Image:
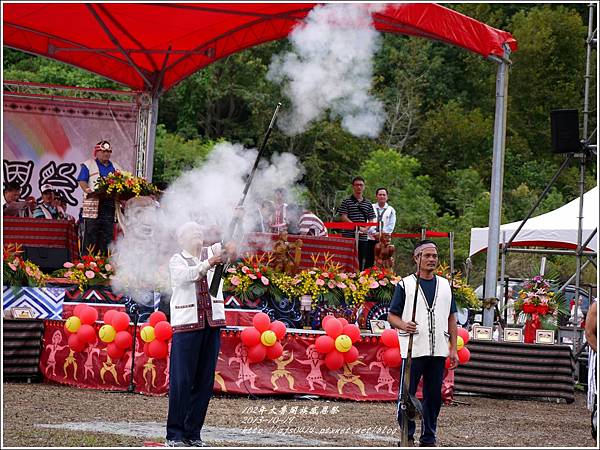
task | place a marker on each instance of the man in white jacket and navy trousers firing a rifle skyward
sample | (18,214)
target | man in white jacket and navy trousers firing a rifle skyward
(197,319)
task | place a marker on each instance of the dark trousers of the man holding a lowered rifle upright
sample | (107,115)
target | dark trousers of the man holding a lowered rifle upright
(431,368)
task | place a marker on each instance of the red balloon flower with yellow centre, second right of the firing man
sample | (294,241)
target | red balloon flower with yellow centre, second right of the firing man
(338,342)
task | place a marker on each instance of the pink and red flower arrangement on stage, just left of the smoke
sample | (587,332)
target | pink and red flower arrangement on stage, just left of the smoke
(91,270)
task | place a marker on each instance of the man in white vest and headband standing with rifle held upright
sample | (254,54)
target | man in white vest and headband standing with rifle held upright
(434,331)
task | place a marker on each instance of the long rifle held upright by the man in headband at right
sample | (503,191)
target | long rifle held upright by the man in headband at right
(409,406)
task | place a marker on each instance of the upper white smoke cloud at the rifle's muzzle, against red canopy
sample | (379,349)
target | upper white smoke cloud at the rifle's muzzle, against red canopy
(331,69)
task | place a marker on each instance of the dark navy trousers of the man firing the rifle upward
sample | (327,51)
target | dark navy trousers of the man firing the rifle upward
(191,379)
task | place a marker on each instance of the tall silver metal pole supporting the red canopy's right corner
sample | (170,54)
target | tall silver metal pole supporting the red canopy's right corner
(491,272)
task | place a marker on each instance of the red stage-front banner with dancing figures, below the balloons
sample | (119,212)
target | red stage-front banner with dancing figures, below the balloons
(300,370)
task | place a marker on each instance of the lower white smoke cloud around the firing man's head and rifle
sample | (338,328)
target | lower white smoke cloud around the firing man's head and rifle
(208,195)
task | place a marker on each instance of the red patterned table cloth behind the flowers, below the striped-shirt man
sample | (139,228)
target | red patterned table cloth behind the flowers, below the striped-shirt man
(342,250)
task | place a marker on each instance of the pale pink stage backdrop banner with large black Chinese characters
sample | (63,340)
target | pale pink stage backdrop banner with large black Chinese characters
(46,139)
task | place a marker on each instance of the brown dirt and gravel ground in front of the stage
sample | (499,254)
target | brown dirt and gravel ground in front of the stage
(36,415)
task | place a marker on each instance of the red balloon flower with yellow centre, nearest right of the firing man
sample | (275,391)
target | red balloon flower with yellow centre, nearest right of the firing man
(263,338)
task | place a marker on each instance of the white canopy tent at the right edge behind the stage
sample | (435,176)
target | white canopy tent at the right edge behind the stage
(557,229)
